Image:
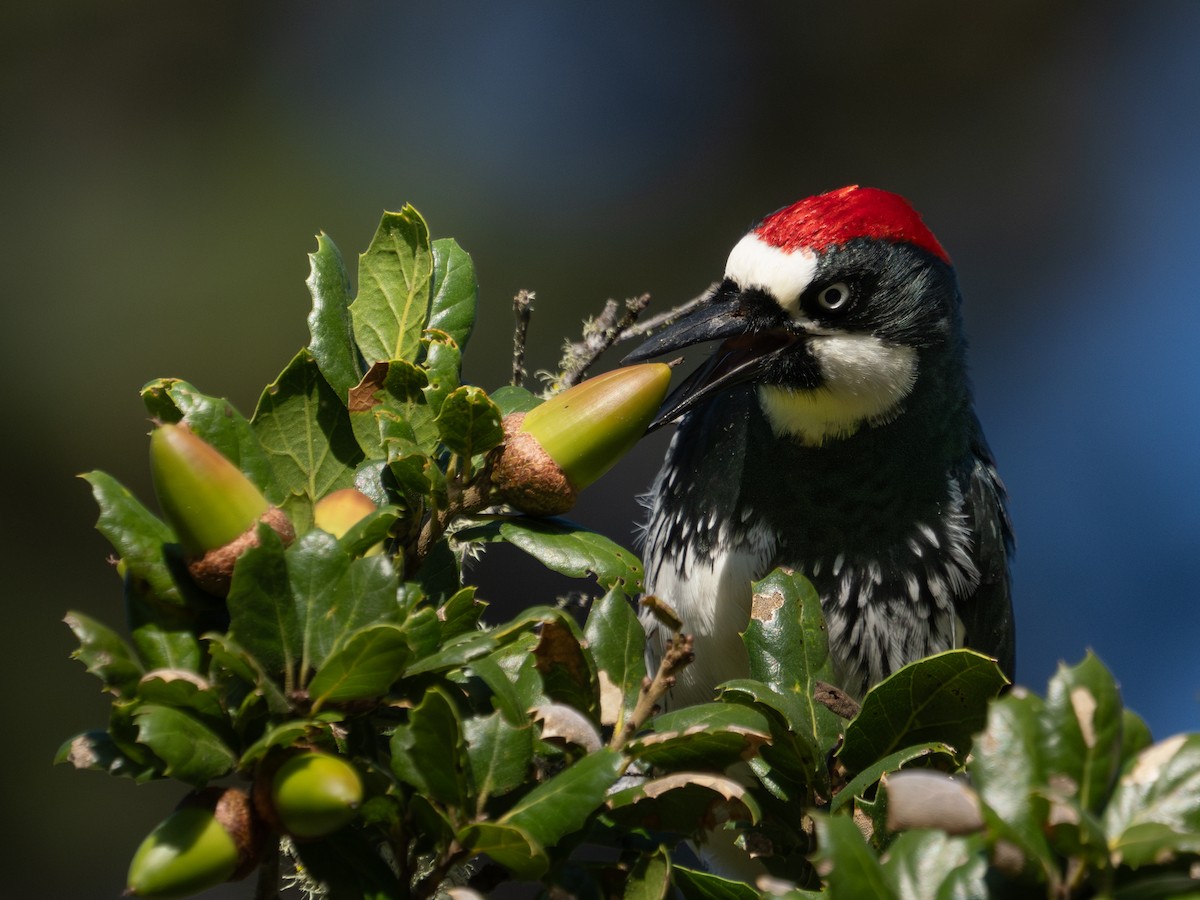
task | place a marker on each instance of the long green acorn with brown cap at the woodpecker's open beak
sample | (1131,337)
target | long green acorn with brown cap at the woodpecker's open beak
(557,449)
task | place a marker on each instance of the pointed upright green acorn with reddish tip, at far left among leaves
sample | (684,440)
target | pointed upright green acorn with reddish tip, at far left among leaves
(211,505)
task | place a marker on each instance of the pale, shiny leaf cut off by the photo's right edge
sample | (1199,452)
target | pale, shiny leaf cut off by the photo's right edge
(1155,812)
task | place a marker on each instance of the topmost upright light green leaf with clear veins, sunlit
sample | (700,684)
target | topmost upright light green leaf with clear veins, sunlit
(394,297)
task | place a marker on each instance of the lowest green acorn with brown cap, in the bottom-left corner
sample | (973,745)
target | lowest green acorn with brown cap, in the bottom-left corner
(212,838)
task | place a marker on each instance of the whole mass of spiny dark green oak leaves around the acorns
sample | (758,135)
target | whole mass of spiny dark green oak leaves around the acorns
(515,743)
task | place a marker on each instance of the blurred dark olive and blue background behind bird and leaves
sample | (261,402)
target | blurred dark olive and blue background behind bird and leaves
(167,166)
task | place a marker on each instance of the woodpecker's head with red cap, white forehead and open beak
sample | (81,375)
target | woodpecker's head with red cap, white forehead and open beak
(833,308)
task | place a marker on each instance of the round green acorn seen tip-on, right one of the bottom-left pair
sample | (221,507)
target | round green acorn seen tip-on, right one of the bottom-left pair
(310,795)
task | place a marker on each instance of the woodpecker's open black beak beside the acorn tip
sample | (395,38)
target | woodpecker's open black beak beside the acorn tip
(753,334)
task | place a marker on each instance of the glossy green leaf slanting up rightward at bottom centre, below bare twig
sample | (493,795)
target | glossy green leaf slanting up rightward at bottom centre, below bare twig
(563,805)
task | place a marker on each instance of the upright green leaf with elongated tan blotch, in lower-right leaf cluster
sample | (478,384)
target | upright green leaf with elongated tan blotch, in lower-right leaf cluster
(1084,719)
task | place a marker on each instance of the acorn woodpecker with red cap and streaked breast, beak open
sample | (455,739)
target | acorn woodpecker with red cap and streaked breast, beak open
(832,431)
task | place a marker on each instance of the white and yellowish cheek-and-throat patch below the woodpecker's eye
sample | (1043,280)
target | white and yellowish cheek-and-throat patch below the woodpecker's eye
(865,382)
